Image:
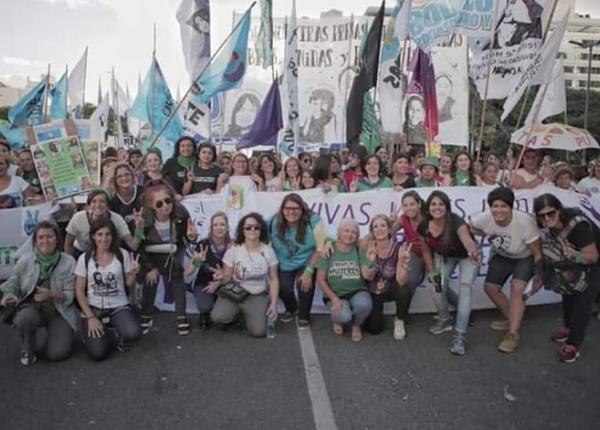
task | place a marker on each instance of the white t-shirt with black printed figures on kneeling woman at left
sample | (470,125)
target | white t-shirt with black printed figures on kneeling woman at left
(105,285)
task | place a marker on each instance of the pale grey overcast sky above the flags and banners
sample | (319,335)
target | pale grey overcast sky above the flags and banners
(119,33)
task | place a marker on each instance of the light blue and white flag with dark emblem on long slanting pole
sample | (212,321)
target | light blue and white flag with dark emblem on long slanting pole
(227,71)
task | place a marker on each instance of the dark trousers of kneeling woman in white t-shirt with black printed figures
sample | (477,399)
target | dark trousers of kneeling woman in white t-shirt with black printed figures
(126,327)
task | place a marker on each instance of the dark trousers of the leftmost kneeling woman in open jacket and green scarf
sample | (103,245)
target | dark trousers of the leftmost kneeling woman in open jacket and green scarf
(59,341)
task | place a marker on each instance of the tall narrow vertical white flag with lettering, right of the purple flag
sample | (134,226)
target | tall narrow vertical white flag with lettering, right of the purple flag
(291,133)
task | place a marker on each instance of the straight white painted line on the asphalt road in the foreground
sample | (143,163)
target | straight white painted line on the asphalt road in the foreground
(319,399)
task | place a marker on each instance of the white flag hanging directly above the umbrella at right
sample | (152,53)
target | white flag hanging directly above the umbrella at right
(554,96)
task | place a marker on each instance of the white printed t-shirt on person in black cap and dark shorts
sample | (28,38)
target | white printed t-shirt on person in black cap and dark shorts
(510,241)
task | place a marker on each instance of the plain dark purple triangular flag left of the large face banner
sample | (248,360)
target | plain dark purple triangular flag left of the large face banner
(267,124)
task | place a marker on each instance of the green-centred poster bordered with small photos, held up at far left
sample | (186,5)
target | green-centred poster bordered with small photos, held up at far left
(59,159)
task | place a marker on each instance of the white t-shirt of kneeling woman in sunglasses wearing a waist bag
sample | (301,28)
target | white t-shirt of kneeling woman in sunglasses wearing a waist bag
(251,269)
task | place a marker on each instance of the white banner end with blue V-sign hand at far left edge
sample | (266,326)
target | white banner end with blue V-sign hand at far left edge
(17,226)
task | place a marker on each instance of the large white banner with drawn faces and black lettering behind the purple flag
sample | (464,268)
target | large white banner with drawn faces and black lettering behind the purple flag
(326,57)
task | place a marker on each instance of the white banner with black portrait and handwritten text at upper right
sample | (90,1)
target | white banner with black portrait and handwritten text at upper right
(518,33)
